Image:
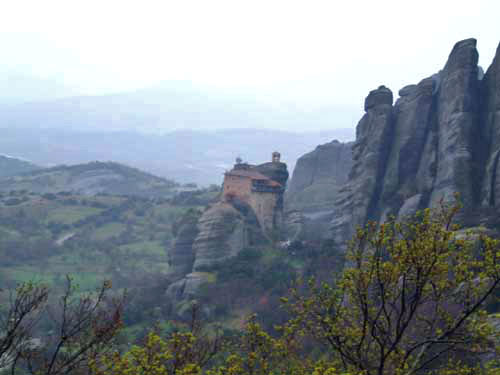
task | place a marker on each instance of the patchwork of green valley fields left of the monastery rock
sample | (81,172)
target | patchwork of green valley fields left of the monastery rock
(90,238)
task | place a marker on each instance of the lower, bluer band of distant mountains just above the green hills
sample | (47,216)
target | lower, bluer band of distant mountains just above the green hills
(184,156)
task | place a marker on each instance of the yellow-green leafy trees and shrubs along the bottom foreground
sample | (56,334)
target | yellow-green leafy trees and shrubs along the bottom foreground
(411,302)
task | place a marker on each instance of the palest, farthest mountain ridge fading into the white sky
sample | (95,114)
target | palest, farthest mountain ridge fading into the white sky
(173,105)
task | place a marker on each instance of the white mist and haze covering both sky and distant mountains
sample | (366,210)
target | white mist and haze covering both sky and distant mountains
(167,86)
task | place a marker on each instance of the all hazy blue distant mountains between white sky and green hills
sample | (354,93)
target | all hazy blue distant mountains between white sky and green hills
(176,130)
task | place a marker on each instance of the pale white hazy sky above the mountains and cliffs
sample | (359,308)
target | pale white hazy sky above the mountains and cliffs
(323,51)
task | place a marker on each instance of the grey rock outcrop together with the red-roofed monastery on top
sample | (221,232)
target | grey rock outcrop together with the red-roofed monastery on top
(249,210)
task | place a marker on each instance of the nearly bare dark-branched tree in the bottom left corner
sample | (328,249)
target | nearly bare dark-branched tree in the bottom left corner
(82,325)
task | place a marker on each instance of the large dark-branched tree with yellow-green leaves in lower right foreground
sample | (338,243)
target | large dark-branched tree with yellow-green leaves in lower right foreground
(411,299)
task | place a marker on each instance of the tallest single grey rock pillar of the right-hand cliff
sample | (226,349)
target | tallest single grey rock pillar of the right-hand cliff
(457,126)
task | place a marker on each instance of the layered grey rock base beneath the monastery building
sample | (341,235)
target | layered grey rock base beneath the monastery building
(202,243)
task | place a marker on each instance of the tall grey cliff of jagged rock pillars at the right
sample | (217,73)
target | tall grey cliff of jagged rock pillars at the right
(441,137)
